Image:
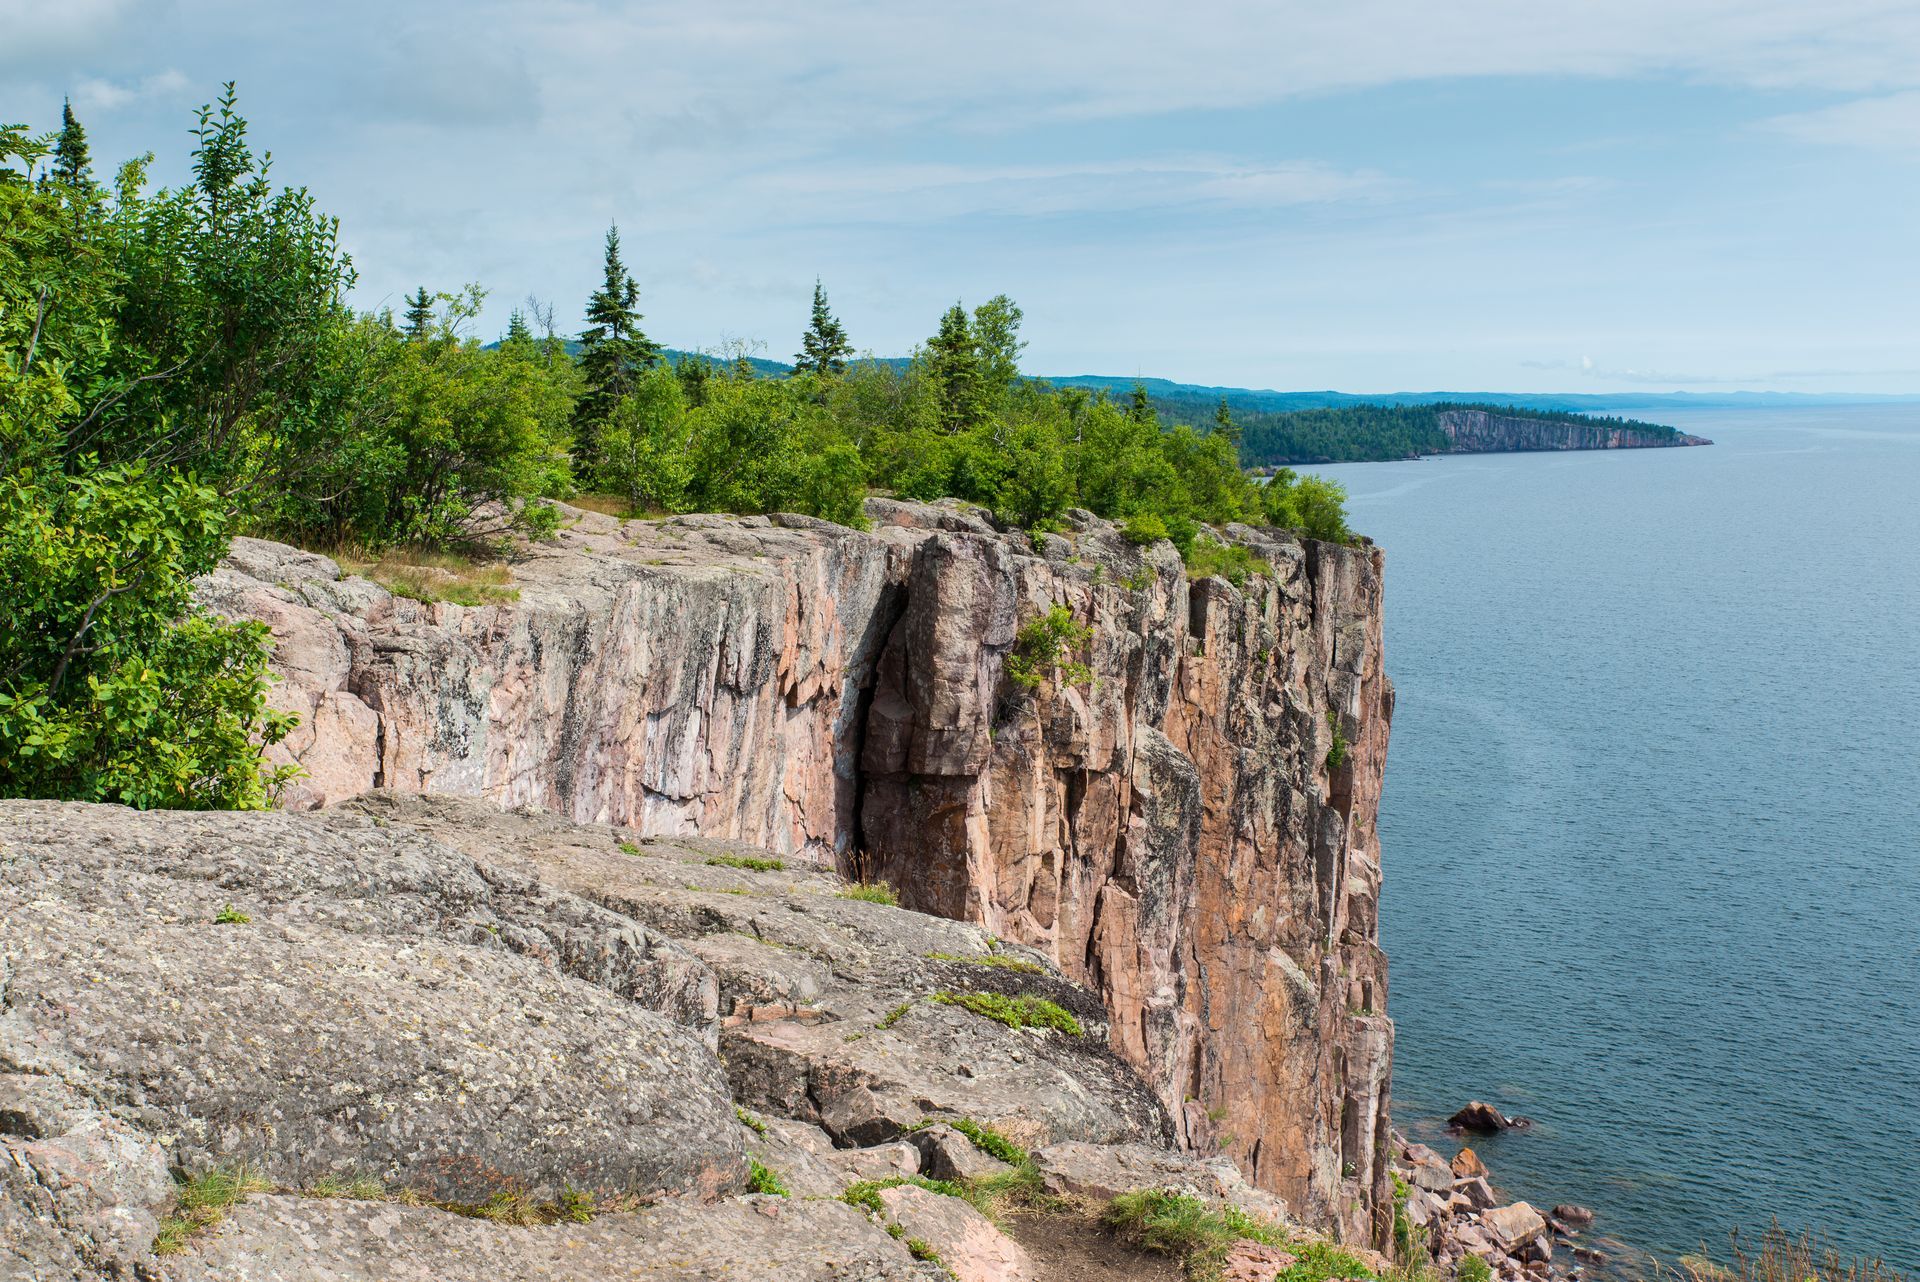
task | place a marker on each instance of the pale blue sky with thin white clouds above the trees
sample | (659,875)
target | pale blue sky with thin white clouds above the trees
(1358,195)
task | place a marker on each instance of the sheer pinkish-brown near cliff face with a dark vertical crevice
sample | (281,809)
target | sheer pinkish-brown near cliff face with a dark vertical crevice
(1178,832)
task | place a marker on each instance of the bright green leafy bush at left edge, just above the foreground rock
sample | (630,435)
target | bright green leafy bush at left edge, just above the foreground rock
(112,684)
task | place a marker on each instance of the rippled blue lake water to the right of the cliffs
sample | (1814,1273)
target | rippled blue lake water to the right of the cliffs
(1652,820)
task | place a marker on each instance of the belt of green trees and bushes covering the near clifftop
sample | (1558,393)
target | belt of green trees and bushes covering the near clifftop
(181,364)
